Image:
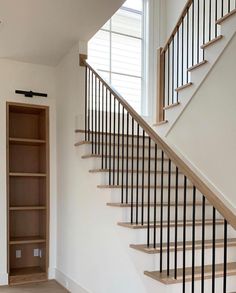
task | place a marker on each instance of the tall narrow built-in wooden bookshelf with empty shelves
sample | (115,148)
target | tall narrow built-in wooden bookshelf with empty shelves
(28,192)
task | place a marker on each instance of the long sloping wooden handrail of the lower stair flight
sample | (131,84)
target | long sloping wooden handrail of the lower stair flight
(183,167)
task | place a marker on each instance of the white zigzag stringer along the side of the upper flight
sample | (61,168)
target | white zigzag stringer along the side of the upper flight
(198,76)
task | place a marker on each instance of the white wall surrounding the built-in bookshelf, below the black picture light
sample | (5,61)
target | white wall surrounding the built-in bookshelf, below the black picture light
(16,75)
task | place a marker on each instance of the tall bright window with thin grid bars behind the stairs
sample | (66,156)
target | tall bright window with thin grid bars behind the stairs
(117,52)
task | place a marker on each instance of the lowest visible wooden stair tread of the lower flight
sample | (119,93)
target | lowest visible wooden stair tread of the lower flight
(168,280)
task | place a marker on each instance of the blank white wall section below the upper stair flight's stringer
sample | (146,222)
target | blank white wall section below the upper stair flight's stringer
(206,131)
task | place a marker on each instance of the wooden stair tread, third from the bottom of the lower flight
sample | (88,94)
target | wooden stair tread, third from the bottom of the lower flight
(172,224)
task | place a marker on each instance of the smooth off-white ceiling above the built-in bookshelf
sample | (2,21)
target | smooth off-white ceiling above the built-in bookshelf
(43,31)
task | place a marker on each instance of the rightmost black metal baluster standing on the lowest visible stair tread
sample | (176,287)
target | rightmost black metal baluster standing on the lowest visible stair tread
(176,219)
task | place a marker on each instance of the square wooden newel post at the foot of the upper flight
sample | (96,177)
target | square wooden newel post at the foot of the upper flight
(160,85)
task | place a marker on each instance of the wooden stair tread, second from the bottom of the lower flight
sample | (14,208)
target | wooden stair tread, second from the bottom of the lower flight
(198,246)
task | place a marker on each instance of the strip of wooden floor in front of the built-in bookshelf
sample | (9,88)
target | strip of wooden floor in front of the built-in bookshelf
(44,287)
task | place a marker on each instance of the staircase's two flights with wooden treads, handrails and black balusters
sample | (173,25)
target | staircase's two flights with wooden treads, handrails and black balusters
(188,230)
